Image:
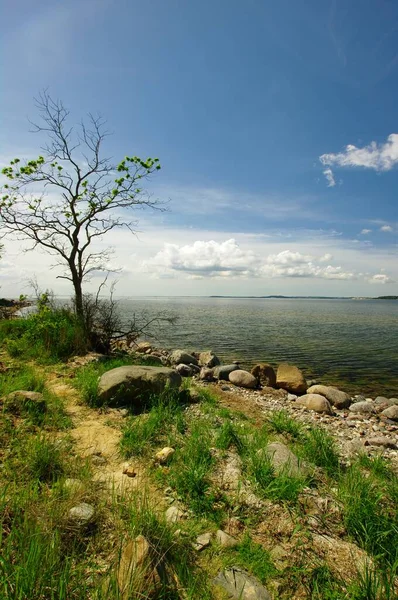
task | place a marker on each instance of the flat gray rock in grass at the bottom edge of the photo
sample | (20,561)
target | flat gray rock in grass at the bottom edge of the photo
(240,585)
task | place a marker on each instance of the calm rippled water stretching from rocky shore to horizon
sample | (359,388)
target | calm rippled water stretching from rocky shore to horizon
(349,341)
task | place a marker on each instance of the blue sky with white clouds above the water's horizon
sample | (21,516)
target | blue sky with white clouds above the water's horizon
(276,125)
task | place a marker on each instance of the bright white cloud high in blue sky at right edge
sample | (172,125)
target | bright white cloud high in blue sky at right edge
(379,157)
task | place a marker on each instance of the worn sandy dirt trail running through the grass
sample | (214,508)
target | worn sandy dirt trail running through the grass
(96,435)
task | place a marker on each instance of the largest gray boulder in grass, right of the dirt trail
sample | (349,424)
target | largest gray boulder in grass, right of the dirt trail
(134,385)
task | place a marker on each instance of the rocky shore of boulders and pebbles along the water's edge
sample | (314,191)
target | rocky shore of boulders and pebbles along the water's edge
(358,423)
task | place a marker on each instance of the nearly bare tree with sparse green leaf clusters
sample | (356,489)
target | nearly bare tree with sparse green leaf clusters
(71,196)
